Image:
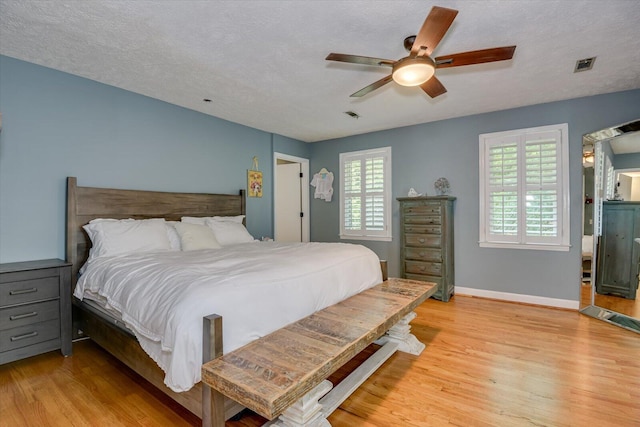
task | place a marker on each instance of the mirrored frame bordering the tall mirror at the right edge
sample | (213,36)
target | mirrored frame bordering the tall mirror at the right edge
(591,144)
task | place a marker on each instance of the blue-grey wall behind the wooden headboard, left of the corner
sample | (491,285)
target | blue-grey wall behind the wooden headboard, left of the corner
(57,125)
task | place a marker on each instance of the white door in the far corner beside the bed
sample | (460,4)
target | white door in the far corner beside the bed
(288,203)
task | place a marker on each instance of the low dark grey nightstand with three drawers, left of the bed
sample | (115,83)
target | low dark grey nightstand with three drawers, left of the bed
(35,308)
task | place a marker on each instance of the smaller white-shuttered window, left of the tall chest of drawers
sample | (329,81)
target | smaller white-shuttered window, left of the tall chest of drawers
(365,194)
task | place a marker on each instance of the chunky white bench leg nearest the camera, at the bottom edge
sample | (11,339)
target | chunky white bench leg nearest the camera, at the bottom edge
(306,412)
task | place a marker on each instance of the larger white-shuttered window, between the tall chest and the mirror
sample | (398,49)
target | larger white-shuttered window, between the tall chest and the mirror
(524,189)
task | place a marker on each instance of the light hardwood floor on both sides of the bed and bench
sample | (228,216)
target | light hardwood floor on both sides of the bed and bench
(487,363)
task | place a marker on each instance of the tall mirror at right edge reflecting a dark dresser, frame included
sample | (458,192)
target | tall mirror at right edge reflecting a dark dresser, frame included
(611,225)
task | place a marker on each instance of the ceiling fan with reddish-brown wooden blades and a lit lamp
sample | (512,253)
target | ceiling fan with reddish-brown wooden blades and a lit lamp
(418,68)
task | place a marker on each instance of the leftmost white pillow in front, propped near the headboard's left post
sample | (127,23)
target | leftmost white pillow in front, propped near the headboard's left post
(115,237)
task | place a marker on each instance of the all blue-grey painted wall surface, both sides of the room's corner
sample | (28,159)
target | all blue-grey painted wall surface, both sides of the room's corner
(57,125)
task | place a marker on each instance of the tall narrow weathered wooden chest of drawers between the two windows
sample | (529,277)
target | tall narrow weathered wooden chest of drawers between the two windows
(426,239)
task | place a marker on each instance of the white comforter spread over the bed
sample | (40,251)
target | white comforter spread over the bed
(256,287)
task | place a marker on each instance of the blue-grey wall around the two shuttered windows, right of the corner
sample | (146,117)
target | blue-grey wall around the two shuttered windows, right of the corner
(449,148)
